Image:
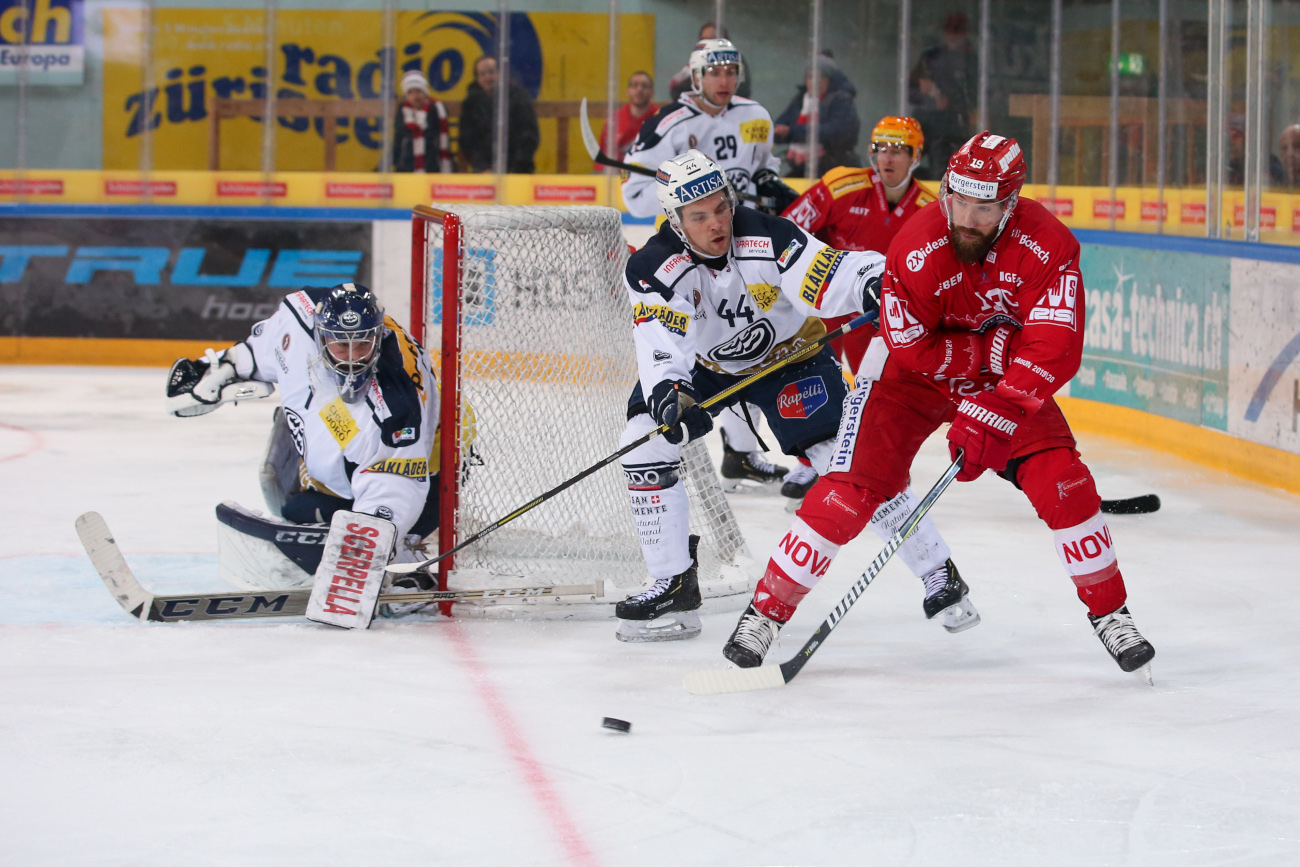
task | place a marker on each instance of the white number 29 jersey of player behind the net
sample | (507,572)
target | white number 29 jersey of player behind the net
(739,140)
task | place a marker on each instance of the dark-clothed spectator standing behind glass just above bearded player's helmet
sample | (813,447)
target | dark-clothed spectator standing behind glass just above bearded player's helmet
(942,92)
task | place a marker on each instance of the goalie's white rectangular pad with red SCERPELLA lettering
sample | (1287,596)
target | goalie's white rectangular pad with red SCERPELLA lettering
(350,576)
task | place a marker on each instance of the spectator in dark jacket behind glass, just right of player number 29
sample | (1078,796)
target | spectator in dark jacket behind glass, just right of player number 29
(838,123)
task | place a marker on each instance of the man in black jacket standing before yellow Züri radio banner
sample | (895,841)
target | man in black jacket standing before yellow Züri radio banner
(479,115)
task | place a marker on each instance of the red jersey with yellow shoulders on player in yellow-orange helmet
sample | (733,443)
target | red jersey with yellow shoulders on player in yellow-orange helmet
(848,210)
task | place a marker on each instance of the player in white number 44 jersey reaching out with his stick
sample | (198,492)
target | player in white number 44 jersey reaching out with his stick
(718,294)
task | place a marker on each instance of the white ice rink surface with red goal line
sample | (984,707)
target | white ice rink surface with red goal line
(479,743)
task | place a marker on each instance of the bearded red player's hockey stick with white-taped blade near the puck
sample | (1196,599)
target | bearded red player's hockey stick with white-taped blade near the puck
(716,682)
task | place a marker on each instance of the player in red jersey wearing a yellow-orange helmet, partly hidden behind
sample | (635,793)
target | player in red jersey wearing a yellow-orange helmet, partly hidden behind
(863,210)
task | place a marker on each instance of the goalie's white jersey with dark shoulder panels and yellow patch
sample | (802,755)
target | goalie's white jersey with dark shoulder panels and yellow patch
(375,452)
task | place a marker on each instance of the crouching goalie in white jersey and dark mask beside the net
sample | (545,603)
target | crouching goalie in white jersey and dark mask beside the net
(356,431)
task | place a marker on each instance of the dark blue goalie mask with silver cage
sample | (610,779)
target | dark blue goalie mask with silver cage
(349,332)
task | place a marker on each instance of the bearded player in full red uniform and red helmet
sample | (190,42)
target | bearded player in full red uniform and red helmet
(982,310)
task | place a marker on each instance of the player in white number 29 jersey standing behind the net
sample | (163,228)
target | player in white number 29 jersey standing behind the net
(736,133)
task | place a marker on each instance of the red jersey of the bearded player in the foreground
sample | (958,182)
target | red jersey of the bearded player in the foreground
(935,310)
